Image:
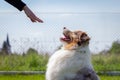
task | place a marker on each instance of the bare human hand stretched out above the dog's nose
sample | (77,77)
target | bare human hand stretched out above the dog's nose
(31,15)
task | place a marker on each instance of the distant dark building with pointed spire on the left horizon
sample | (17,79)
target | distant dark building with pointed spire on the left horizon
(6,47)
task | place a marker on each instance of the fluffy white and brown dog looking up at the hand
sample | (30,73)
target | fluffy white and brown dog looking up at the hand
(73,60)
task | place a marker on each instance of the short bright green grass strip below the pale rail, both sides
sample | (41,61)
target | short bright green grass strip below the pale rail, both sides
(42,77)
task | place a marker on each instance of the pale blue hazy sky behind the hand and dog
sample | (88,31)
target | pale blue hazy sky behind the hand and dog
(99,18)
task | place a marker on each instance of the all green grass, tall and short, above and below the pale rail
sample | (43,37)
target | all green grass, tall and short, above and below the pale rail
(32,61)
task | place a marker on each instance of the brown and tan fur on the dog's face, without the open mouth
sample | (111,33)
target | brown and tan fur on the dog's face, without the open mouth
(76,38)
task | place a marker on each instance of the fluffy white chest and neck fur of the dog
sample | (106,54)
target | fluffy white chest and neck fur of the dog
(66,63)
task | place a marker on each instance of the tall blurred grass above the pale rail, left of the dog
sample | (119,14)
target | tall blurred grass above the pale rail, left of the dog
(27,62)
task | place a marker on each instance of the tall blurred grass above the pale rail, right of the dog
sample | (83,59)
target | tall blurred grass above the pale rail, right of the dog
(106,62)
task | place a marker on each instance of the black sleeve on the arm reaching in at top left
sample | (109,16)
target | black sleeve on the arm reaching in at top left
(16,3)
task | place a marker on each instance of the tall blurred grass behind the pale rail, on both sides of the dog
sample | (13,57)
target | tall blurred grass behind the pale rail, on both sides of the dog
(37,62)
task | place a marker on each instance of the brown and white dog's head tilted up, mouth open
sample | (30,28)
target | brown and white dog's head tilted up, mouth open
(74,39)
